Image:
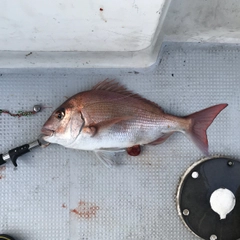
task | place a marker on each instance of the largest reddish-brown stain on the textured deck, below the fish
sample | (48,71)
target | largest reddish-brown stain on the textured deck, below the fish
(85,210)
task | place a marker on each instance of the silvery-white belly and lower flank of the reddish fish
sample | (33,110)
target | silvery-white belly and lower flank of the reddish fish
(121,136)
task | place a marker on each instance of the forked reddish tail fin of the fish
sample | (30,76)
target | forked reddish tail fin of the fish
(199,123)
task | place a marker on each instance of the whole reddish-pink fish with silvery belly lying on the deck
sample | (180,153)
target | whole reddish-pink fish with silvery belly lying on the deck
(109,118)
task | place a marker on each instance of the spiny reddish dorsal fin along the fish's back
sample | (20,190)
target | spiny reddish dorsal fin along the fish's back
(113,86)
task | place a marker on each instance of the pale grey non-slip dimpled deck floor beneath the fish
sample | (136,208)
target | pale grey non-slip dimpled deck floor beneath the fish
(65,194)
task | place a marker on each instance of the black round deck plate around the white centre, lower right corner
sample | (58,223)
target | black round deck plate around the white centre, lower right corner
(194,197)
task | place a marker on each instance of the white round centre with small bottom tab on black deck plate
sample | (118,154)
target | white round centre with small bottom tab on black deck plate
(222,202)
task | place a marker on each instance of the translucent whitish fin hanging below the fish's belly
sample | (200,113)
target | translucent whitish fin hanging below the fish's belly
(107,157)
